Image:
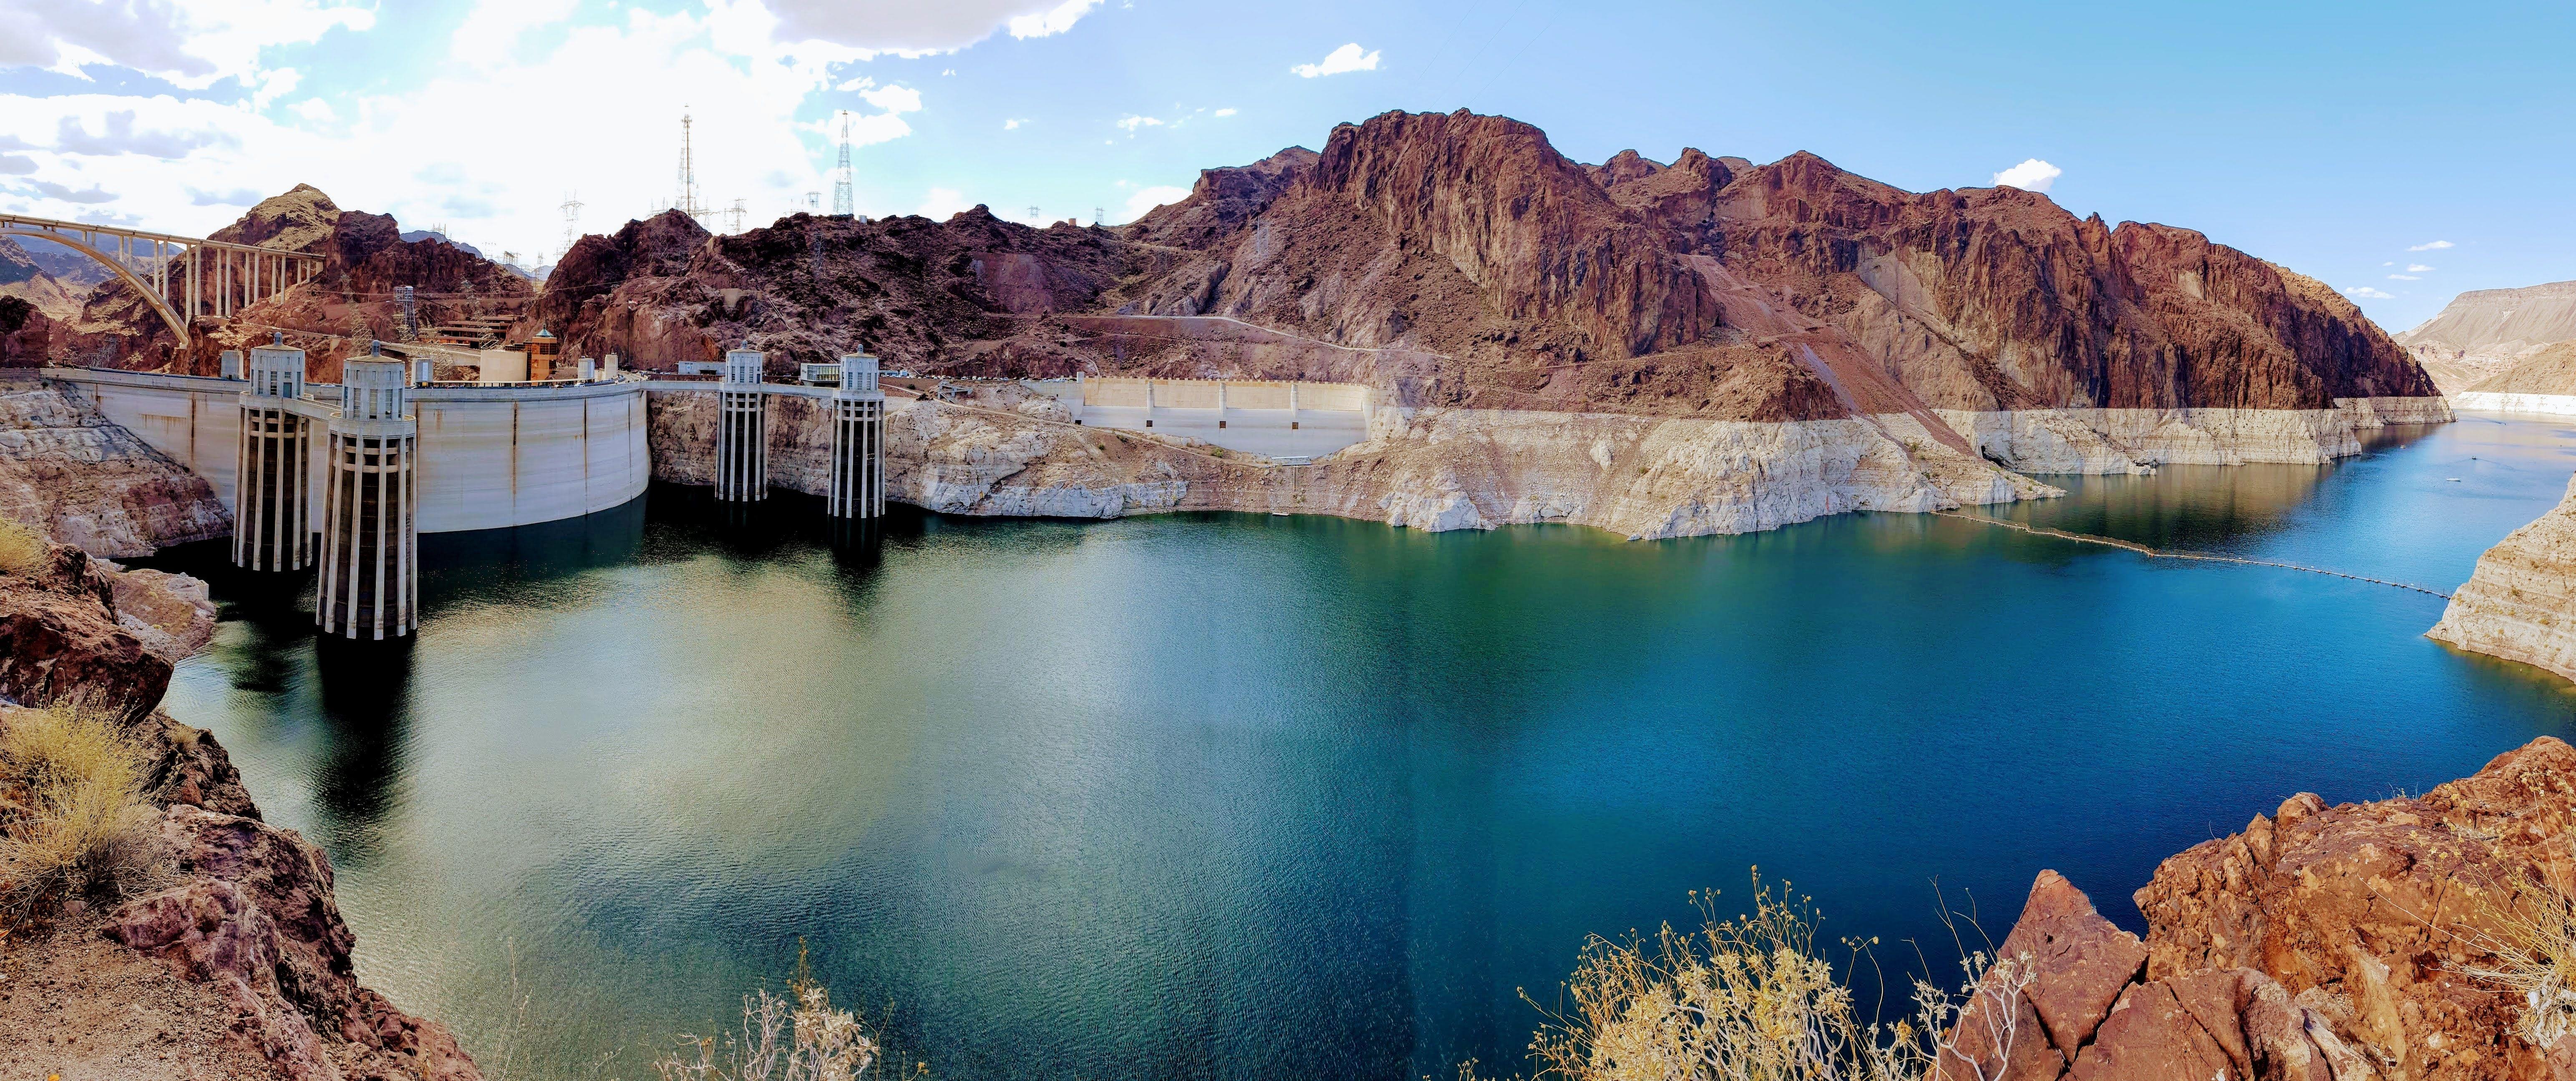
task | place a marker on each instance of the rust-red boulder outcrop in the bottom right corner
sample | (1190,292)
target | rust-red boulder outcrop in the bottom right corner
(2317,946)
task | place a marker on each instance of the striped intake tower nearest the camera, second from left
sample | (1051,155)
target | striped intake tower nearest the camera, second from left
(370,586)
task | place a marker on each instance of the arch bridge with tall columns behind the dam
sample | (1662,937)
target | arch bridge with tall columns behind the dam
(182,277)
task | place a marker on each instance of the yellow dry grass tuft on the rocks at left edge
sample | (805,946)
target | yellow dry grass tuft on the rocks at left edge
(73,812)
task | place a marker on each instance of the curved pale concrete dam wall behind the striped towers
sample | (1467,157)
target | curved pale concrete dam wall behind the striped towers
(491,457)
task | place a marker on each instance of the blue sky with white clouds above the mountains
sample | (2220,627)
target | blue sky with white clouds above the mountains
(2340,140)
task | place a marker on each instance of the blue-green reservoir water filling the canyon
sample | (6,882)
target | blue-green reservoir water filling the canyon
(1230,797)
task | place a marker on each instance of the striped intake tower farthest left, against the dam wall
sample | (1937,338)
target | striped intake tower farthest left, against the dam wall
(272,465)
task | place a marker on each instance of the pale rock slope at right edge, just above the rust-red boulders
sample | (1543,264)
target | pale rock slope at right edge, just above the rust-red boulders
(2521,604)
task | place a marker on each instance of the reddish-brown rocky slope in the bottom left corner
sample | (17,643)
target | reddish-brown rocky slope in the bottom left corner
(238,961)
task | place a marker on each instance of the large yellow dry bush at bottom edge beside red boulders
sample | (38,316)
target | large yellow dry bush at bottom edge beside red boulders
(1756,1000)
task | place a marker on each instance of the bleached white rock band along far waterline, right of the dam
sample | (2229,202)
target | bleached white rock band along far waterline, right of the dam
(1434,470)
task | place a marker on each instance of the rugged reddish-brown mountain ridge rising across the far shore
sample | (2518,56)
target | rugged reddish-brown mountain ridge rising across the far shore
(1498,295)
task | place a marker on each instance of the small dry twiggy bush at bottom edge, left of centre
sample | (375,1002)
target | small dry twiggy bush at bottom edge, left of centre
(787,1039)
